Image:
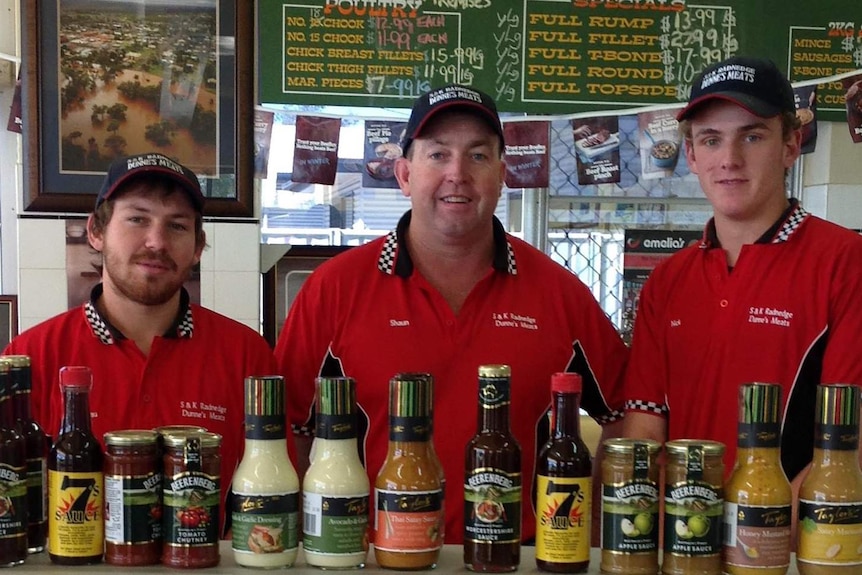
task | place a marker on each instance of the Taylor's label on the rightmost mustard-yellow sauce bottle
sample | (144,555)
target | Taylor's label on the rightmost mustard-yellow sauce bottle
(830,533)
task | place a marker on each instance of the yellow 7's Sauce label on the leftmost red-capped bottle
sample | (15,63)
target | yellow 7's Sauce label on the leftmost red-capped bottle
(76,526)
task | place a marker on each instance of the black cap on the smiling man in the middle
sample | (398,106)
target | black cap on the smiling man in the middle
(450,97)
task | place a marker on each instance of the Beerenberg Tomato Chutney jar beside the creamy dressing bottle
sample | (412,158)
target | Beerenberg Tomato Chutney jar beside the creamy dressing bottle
(191,493)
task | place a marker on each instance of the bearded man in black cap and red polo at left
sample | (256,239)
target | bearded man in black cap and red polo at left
(156,358)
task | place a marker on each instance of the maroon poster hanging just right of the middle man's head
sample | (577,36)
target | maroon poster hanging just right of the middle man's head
(526,154)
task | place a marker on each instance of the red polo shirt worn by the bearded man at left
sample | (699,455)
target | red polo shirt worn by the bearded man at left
(193,375)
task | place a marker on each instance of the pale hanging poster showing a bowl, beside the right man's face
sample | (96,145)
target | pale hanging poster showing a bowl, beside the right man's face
(659,143)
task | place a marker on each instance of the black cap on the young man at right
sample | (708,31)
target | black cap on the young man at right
(756,84)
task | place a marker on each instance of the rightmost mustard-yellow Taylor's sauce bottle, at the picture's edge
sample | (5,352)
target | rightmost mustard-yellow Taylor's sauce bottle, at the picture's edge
(830,498)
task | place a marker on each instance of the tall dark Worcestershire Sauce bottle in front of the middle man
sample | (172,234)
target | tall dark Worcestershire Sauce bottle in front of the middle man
(492,485)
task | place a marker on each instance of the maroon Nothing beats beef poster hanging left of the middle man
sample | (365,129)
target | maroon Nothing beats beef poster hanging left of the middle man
(315,155)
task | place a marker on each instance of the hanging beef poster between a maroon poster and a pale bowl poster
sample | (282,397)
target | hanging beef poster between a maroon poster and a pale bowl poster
(597,148)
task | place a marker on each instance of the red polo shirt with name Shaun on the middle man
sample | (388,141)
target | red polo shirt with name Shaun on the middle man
(369,314)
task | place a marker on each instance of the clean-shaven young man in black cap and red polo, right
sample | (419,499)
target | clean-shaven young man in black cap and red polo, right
(770,293)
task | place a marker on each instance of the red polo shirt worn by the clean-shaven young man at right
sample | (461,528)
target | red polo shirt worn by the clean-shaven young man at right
(787,313)
